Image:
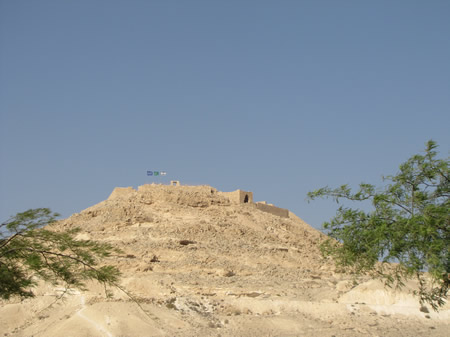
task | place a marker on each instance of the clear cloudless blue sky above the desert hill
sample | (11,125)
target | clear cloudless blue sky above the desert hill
(276,97)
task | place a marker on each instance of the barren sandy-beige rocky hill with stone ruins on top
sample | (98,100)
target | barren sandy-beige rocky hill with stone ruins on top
(202,265)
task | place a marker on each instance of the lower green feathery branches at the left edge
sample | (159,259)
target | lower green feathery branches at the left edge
(29,252)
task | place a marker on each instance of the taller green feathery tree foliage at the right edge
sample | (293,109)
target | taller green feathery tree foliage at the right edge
(408,226)
